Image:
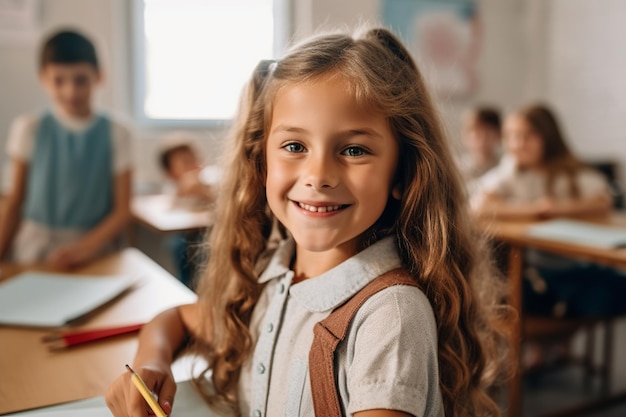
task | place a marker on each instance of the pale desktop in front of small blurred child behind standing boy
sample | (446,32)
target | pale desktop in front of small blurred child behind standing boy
(162,214)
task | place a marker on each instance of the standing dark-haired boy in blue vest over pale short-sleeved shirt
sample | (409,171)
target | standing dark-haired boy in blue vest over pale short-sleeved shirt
(71,169)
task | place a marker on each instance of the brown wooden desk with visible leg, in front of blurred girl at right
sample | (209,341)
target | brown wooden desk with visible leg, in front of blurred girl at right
(513,233)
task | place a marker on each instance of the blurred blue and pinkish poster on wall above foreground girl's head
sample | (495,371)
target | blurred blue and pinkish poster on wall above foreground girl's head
(444,38)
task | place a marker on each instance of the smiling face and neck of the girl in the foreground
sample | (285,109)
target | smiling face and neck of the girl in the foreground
(331,164)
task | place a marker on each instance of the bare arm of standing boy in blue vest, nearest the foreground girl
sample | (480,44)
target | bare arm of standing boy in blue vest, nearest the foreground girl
(103,232)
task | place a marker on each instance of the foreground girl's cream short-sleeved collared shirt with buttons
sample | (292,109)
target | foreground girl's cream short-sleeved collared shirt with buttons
(388,359)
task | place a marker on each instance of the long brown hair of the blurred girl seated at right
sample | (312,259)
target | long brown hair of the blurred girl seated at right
(557,157)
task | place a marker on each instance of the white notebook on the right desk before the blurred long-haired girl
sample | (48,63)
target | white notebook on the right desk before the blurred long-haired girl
(579,233)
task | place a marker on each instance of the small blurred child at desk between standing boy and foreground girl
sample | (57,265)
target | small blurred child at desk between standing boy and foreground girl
(181,162)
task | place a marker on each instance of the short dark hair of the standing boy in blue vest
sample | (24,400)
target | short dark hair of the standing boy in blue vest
(68,47)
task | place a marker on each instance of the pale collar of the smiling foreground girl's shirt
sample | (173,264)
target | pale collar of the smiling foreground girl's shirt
(334,287)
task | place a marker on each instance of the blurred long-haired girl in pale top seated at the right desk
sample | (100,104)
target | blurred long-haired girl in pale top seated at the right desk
(545,180)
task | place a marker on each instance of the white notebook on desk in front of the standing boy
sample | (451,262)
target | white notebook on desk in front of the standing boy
(38,299)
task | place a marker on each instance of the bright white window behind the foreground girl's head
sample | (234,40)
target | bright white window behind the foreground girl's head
(194,56)
